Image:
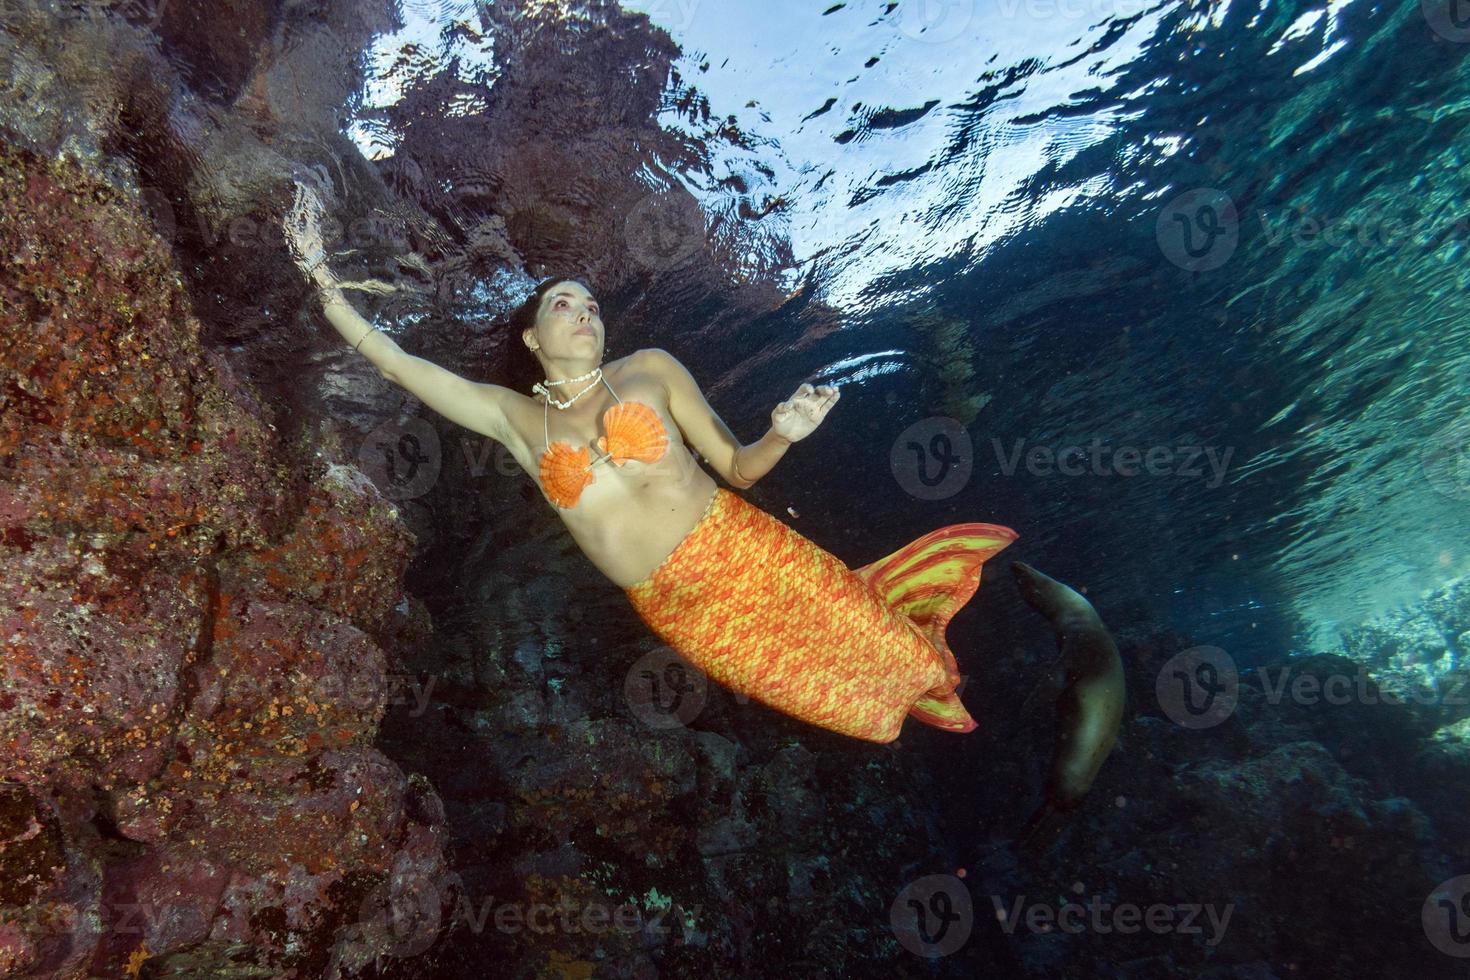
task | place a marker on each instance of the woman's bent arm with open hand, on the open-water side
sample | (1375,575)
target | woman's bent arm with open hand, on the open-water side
(739,465)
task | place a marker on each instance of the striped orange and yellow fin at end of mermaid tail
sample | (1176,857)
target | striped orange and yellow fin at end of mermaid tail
(930,580)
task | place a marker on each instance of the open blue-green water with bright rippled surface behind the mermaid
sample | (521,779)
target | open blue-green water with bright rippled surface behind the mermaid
(996,199)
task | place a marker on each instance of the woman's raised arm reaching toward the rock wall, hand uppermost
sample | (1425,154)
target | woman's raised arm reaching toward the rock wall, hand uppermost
(471,405)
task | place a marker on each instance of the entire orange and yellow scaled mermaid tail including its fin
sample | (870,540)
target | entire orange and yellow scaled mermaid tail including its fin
(767,613)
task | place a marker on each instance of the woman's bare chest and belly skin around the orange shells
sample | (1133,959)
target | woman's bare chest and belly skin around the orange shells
(631,516)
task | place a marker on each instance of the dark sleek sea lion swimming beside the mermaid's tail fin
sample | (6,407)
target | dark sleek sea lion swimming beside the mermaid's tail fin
(1090,709)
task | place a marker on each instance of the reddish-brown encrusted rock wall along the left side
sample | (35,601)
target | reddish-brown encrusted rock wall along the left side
(198,619)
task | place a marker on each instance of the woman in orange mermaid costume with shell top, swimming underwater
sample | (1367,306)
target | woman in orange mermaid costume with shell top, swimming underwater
(756,606)
